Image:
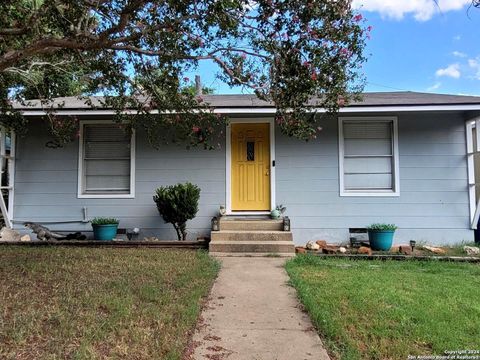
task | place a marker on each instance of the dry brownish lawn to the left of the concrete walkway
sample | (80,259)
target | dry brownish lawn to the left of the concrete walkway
(84,303)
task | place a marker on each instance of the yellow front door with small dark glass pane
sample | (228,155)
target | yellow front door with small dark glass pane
(250,167)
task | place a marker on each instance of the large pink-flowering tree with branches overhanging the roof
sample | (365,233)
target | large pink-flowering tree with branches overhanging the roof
(137,52)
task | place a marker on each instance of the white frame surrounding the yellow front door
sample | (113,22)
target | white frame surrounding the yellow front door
(228,165)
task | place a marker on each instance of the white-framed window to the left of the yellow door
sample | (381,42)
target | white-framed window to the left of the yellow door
(106,162)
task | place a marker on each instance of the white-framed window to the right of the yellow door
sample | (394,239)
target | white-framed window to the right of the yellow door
(368,156)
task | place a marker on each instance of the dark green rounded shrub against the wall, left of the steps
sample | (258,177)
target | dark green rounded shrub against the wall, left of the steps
(177,204)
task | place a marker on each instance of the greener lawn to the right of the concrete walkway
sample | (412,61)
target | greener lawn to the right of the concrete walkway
(389,310)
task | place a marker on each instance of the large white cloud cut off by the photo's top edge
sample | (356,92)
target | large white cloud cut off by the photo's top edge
(421,10)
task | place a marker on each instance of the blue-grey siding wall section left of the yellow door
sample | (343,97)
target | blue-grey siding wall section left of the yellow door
(46,185)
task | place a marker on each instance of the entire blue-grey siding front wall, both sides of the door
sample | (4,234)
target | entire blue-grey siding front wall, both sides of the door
(432,206)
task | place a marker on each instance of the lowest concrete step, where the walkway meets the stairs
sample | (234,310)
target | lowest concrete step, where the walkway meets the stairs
(269,247)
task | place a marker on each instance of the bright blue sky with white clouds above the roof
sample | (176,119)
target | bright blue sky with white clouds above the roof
(415,45)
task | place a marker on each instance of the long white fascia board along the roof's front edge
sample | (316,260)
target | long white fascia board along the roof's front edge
(269,110)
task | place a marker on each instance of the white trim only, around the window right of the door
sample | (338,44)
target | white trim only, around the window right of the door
(396,173)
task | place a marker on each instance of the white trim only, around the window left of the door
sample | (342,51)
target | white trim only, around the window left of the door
(80,194)
